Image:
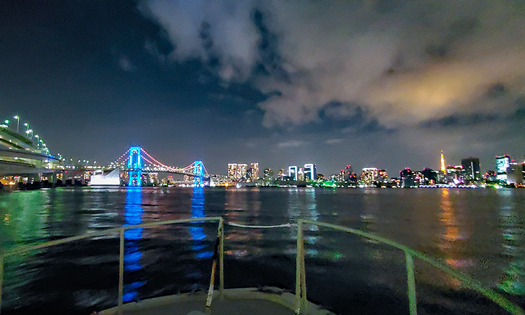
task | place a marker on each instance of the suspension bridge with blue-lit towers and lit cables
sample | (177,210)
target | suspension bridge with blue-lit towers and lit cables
(137,161)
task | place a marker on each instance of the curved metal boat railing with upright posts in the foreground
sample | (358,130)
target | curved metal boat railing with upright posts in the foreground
(300,288)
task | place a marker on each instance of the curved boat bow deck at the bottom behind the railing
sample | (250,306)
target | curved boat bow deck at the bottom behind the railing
(234,302)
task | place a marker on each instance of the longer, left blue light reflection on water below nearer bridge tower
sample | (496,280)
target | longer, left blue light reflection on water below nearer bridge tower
(132,255)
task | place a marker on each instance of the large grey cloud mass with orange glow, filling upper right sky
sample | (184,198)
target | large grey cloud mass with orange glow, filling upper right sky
(405,62)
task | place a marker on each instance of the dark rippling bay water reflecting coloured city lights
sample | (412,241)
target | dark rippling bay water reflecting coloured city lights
(478,231)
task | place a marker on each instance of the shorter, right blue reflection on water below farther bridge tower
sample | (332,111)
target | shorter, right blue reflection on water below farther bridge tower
(197,231)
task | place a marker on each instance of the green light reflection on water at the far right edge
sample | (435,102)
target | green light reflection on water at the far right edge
(512,230)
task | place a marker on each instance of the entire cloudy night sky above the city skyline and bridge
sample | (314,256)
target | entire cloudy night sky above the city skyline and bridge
(384,83)
